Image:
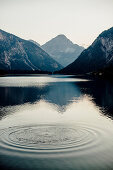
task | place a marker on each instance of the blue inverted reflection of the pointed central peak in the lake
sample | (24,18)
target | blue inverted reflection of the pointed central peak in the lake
(62,94)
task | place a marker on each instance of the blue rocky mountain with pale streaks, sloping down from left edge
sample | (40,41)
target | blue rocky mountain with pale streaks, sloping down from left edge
(20,54)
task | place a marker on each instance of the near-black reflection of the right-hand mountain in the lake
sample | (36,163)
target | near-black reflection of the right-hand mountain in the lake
(102,93)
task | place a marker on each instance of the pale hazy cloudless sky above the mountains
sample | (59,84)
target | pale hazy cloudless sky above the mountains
(40,20)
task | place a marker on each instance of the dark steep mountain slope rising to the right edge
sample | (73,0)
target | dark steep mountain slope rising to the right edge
(99,55)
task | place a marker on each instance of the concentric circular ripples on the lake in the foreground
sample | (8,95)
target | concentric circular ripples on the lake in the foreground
(50,139)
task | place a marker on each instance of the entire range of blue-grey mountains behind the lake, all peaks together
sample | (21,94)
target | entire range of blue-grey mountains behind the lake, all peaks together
(19,54)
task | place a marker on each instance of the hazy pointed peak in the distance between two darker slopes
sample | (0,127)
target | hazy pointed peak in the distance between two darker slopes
(62,50)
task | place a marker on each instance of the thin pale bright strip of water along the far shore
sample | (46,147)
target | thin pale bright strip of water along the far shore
(34,81)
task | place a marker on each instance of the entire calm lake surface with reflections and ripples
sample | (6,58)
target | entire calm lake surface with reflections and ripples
(55,123)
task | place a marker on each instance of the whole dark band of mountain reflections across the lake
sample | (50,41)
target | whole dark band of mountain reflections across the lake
(60,94)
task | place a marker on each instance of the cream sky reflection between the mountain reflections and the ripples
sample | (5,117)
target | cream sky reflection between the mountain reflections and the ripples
(43,112)
